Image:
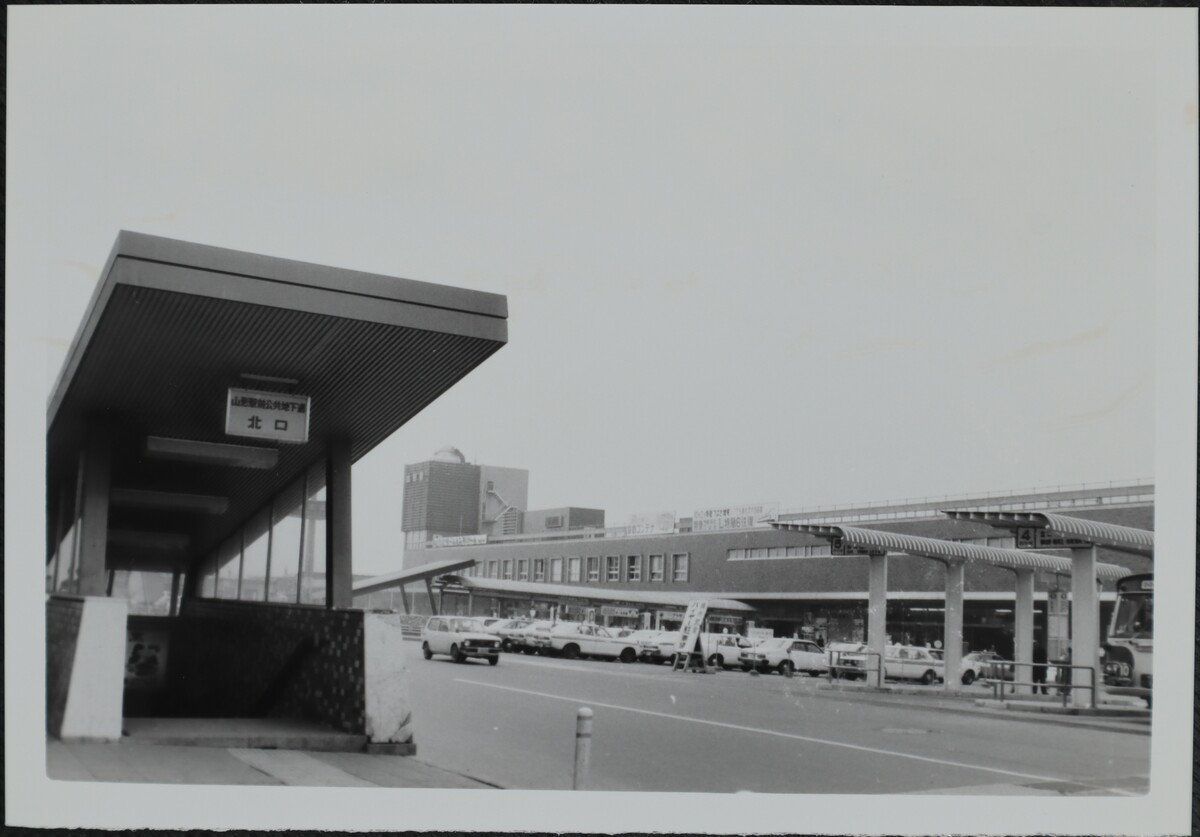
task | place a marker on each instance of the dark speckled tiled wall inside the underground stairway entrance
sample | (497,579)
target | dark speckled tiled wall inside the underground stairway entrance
(253,660)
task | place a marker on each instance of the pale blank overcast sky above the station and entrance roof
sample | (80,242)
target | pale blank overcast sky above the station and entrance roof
(796,256)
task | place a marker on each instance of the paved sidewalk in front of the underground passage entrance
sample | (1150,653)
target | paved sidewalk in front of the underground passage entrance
(173,764)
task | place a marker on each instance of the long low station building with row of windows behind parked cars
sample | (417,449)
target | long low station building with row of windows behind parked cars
(790,582)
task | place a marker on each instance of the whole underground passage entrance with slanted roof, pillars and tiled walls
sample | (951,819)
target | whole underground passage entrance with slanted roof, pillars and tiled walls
(201,437)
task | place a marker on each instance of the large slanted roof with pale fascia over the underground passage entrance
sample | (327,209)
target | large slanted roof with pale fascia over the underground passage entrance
(173,326)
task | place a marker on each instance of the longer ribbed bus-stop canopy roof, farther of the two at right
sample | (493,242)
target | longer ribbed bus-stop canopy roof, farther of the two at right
(947,551)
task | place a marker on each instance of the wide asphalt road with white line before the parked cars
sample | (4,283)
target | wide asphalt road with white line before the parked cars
(656,730)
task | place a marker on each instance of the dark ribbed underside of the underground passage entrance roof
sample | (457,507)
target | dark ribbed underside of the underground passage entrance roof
(160,364)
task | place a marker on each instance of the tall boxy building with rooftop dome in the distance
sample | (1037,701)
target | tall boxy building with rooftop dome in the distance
(448,497)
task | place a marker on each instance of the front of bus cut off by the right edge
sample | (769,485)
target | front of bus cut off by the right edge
(1129,653)
